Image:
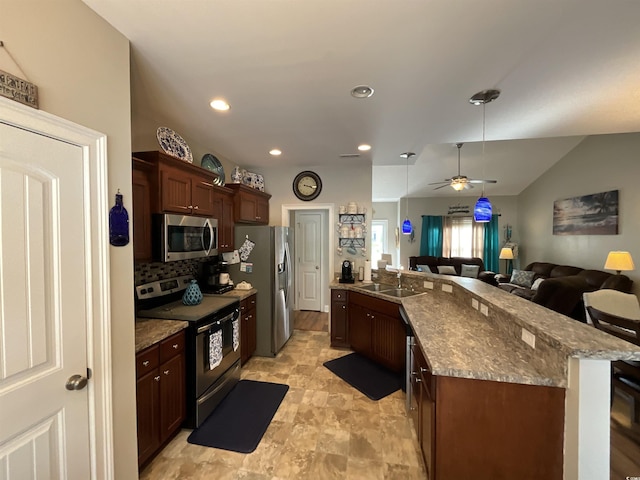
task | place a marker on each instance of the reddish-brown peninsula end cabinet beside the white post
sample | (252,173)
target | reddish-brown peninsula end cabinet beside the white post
(480,429)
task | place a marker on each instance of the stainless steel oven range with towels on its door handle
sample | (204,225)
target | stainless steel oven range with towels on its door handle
(212,341)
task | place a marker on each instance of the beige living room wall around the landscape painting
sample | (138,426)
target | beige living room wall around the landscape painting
(598,164)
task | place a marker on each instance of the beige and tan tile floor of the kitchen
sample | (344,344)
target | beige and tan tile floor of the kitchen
(324,428)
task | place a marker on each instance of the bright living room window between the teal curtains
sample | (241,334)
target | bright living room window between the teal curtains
(462,237)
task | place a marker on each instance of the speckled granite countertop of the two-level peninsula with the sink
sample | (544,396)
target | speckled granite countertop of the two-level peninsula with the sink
(460,341)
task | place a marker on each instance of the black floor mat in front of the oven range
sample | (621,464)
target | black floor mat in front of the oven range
(241,419)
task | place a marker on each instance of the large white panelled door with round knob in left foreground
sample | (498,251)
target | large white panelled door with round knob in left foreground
(45,293)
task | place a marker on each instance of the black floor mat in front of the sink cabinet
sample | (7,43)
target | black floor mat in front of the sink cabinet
(368,377)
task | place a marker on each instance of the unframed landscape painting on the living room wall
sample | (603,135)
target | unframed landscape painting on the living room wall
(595,214)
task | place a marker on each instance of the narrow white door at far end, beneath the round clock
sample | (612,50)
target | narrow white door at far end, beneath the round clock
(309,235)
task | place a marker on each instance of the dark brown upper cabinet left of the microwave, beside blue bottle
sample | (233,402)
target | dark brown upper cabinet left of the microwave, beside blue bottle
(141,206)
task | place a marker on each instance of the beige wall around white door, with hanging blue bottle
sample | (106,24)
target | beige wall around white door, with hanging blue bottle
(81,67)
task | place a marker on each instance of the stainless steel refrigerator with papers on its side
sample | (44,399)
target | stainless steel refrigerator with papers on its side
(271,273)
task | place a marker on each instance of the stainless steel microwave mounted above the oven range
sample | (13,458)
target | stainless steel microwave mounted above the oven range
(181,237)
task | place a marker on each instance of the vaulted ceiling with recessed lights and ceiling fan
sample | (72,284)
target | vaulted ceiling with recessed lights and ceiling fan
(565,69)
